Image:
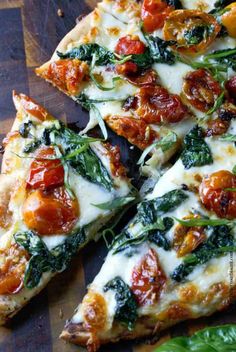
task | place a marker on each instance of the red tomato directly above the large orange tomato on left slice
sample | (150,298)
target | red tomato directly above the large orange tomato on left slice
(45,173)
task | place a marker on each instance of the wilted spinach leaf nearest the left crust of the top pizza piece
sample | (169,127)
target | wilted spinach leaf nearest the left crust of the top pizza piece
(86,52)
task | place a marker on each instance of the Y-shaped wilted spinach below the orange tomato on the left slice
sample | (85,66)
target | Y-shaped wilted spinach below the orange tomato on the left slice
(44,260)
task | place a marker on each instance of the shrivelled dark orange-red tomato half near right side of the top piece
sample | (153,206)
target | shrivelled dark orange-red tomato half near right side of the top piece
(201,89)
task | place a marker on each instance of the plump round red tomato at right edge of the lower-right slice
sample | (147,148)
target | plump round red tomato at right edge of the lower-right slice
(216,195)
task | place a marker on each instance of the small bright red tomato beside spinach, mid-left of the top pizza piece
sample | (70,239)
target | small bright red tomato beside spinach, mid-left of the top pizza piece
(129,45)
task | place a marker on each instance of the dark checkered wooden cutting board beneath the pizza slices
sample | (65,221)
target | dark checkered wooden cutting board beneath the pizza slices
(30,31)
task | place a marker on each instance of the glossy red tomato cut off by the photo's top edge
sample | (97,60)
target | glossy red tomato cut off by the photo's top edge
(154,14)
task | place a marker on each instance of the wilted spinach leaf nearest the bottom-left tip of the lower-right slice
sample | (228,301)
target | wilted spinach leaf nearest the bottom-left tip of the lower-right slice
(126,305)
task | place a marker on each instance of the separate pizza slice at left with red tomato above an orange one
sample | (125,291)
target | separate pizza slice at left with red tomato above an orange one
(51,182)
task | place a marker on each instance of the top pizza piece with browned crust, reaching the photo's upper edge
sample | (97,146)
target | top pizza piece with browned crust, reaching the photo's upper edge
(149,69)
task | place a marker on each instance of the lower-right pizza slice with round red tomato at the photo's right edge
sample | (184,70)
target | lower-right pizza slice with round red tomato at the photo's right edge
(179,251)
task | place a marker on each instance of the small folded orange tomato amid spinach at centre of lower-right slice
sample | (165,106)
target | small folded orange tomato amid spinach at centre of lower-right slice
(186,239)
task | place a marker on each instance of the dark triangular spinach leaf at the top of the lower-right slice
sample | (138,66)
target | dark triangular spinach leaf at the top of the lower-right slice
(196,151)
